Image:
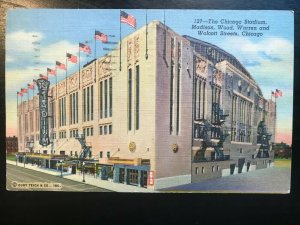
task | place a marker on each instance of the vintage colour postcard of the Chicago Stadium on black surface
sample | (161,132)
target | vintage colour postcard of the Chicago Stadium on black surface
(149,100)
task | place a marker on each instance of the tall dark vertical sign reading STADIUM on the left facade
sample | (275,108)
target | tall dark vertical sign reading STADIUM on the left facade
(43,86)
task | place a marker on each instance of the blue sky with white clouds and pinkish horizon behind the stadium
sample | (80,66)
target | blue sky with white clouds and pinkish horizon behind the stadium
(36,38)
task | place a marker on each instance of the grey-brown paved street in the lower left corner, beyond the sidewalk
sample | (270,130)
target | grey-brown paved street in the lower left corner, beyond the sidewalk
(18,174)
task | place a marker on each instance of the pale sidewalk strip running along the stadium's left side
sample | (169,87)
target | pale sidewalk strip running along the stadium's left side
(90,180)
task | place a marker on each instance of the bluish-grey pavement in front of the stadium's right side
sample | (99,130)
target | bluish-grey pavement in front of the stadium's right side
(271,180)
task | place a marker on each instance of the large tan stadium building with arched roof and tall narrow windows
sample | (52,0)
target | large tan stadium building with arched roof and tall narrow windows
(164,110)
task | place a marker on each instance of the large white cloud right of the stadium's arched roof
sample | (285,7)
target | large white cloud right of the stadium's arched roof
(269,61)
